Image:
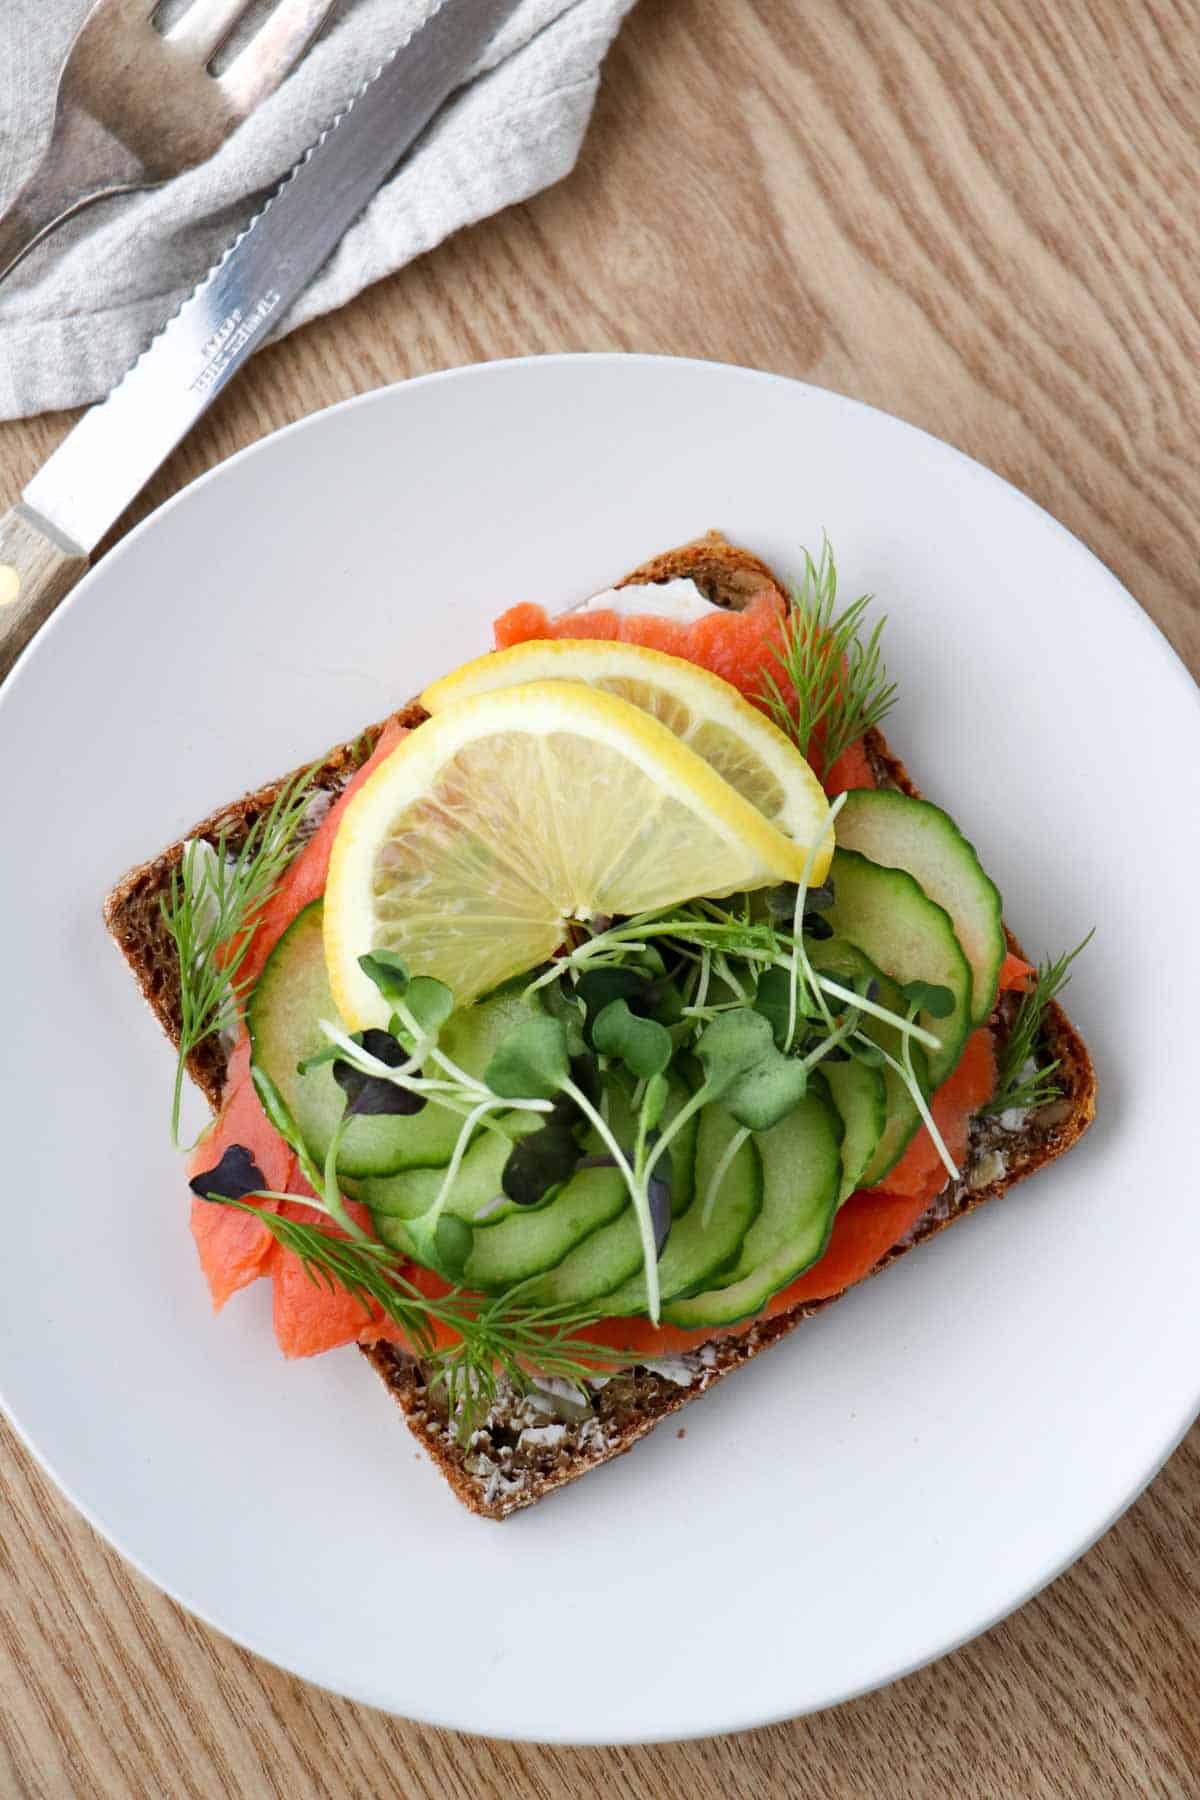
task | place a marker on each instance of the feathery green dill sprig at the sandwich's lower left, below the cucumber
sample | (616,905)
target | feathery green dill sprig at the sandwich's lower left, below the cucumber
(497,1336)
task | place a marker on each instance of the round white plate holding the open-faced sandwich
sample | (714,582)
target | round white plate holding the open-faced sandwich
(909,1466)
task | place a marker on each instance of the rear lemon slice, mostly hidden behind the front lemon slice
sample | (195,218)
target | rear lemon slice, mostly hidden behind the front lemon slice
(703,710)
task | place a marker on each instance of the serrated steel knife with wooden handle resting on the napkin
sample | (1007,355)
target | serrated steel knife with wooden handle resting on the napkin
(118,445)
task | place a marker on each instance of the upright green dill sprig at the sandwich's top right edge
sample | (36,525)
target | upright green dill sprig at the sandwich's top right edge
(839,678)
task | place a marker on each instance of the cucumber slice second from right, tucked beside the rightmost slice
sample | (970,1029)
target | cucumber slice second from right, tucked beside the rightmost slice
(909,937)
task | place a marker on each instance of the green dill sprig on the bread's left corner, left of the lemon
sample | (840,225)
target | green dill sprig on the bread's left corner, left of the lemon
(210,912)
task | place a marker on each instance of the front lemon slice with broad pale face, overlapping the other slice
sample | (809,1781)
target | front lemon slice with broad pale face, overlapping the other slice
(506,816)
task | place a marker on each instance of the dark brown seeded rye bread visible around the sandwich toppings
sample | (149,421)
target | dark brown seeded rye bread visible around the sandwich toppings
(533,1444)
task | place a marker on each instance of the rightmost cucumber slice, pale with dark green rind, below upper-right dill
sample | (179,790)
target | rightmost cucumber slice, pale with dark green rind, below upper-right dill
(915,836)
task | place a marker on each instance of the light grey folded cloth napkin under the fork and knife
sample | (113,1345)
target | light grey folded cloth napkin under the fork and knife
(82,307)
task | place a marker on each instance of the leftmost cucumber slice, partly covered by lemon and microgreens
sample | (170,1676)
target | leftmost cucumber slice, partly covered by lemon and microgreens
(283,1016)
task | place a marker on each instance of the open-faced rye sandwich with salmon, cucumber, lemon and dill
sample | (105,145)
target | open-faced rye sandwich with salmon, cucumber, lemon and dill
(598,1018)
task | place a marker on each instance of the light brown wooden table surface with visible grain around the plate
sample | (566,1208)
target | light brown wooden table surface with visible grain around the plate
(980,215)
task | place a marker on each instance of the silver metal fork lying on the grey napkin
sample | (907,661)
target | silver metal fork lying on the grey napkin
(136,105)
